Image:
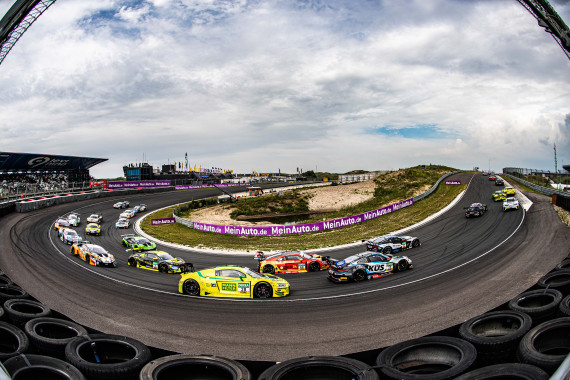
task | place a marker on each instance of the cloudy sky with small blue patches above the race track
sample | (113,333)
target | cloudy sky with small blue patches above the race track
(279,85)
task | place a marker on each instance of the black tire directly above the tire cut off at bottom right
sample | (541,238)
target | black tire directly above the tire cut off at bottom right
(496,335)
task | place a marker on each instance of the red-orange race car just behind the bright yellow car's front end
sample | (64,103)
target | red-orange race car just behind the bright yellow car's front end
(290,262)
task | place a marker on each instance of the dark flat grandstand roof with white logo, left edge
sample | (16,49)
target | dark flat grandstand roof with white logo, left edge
(37,162)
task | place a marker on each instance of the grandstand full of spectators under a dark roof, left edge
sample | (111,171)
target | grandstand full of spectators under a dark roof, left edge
(23,174)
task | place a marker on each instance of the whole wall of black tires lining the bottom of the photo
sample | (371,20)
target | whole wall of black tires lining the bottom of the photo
(527,338)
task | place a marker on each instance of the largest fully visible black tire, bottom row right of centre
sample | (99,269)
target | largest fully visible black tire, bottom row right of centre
(427,358)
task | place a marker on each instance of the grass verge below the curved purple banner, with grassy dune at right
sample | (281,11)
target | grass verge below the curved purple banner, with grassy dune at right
(409,181)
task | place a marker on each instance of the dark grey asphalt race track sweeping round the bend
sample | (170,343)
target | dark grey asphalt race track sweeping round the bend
(463,268)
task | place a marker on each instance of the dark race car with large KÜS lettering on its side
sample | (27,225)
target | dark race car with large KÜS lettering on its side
(367,265)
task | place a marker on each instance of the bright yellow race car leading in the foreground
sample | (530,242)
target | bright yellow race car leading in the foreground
(232,281)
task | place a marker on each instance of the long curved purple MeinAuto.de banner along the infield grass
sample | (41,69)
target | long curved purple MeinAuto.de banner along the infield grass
(302,228)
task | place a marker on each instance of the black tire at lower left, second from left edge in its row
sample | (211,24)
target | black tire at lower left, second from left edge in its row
(49,336)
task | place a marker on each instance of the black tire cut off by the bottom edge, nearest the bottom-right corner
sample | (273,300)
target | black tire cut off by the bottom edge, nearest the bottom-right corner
(511,371)
